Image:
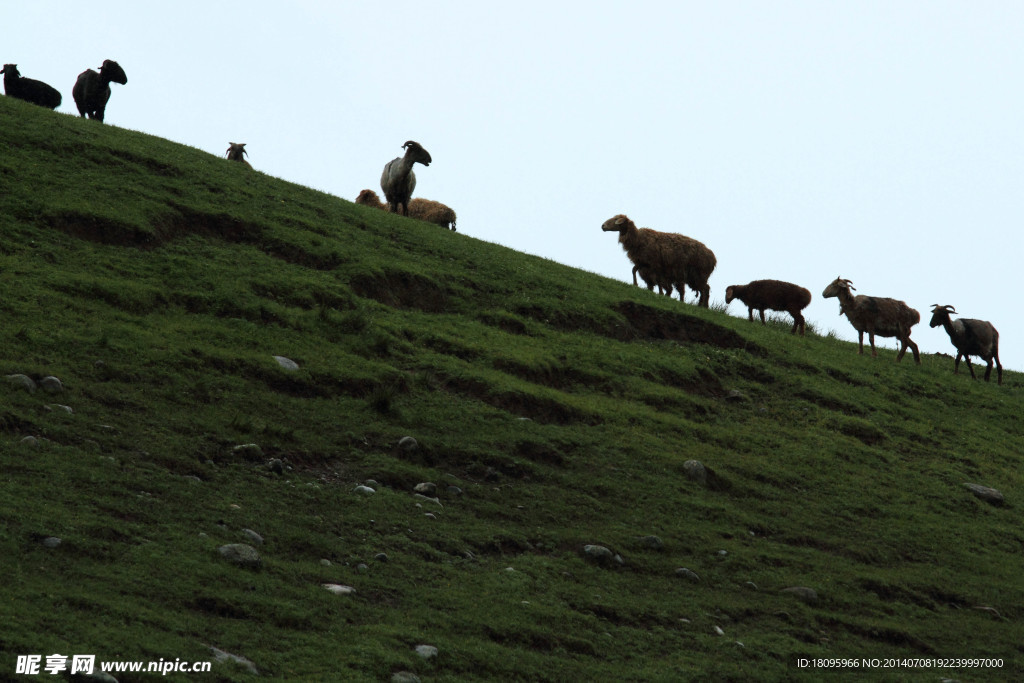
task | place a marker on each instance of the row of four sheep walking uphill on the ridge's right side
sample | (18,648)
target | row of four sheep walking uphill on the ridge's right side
(669,261)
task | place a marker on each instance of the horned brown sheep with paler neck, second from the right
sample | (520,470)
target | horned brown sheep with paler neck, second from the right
(876,316)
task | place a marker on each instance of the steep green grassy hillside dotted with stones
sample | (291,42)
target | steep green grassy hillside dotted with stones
(552,408)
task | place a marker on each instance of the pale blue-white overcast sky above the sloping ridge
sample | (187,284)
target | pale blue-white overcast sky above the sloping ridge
(802,141)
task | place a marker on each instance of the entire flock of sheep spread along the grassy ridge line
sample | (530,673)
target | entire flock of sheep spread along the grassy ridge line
(666,261)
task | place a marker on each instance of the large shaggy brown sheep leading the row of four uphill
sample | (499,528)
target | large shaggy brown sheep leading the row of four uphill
(669,259)
